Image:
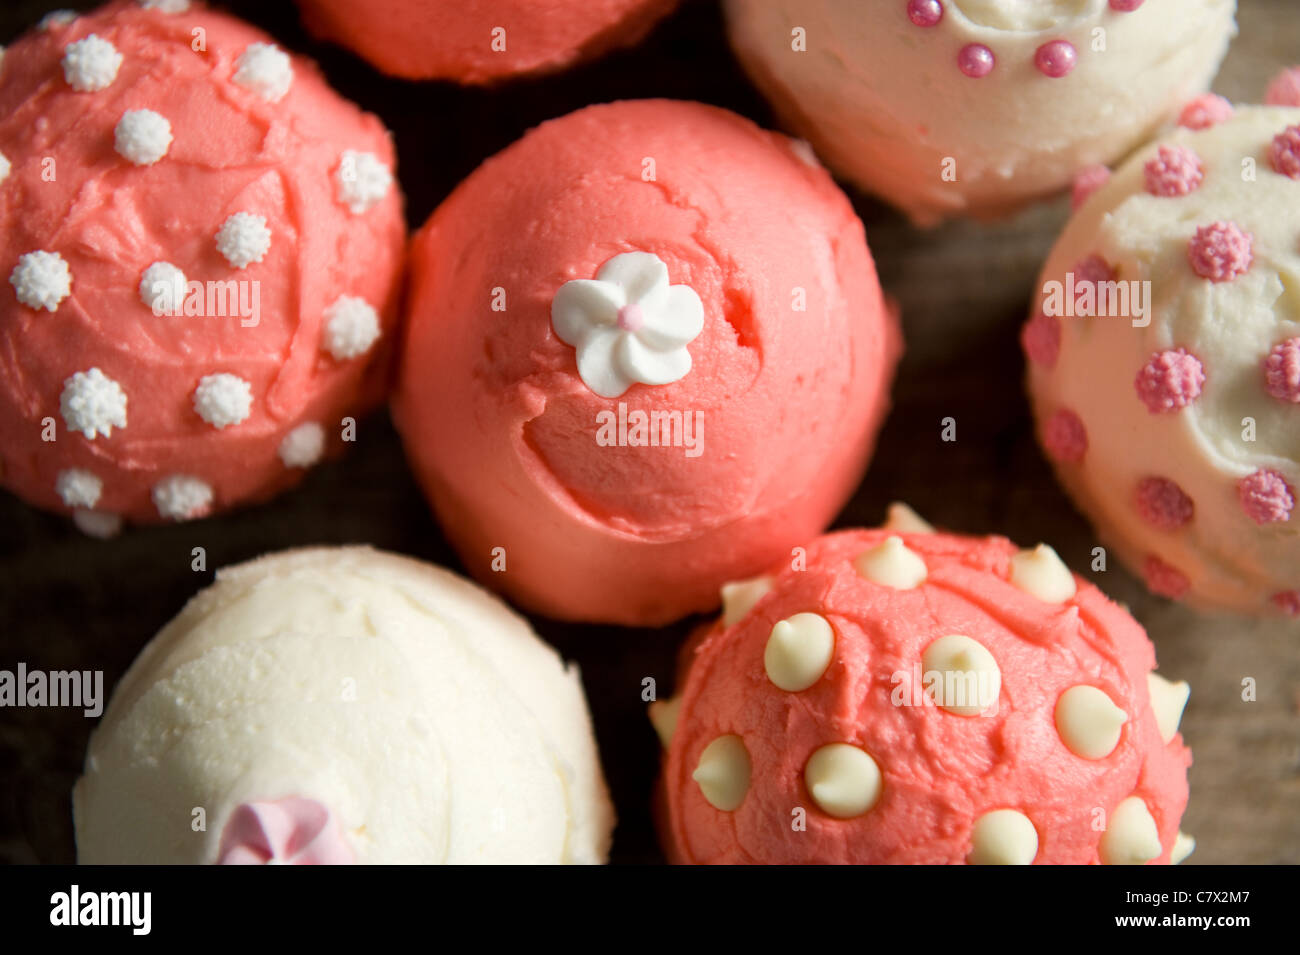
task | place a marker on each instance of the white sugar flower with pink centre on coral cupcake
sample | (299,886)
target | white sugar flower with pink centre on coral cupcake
(629,324)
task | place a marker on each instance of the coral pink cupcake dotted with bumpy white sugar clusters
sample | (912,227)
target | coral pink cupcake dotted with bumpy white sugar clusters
(203,246)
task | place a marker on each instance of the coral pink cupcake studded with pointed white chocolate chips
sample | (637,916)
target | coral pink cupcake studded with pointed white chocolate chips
(903,696)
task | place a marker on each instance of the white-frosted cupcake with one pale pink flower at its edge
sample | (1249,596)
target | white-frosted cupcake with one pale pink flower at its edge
(336,706)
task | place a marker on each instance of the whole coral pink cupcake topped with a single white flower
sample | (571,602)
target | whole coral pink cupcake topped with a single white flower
(647,354)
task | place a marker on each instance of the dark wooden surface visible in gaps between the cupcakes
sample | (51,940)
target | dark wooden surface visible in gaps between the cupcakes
(70,602)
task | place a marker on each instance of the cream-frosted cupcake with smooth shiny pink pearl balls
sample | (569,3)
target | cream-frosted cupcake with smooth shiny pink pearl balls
(977,107)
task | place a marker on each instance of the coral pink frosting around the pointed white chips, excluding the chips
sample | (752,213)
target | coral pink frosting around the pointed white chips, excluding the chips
(941,771)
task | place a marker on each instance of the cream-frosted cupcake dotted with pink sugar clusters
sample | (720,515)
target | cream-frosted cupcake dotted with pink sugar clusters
(1164,359)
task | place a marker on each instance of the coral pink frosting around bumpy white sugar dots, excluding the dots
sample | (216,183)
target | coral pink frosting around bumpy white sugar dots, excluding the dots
(231,151)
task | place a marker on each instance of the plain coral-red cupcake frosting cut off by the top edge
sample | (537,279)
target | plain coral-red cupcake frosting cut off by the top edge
(453,40)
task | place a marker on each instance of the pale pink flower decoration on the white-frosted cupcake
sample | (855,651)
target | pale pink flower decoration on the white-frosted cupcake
(287,832)
